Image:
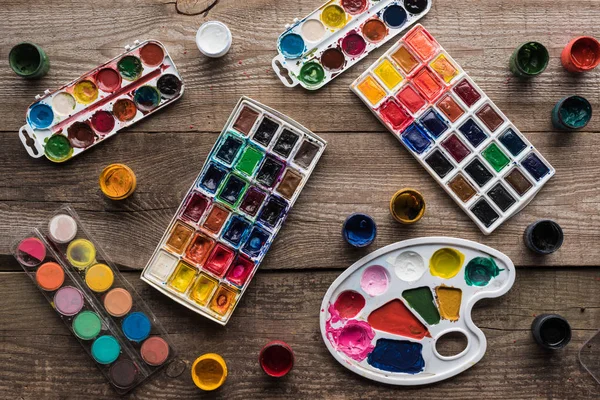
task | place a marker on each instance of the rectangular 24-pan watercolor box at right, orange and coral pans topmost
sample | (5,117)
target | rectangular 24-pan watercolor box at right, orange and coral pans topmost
(453,129)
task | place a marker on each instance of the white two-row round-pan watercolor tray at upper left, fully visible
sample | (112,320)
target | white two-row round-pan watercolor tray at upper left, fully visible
(97,105)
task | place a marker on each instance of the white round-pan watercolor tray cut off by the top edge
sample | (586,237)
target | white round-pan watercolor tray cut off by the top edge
(339,34)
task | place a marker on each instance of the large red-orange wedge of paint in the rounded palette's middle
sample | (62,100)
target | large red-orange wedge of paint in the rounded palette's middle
(395,318)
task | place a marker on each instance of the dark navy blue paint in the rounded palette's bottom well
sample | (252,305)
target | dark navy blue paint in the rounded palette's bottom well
(397,356)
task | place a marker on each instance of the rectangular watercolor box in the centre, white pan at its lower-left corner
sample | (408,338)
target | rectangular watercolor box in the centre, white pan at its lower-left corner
(230,216)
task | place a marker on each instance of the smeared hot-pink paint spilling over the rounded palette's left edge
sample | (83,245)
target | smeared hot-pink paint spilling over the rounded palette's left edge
(353,339)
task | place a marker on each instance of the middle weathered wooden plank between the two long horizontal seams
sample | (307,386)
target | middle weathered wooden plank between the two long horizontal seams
(353,175)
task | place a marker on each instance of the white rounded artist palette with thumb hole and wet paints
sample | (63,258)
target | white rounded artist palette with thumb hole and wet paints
(383,316)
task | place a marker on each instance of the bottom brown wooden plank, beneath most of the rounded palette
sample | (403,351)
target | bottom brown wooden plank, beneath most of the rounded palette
(41,359)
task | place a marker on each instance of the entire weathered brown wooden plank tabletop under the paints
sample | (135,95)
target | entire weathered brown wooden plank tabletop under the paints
(362,167)
